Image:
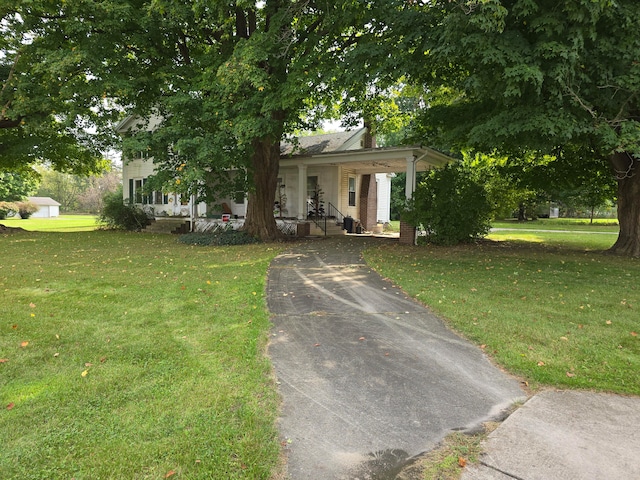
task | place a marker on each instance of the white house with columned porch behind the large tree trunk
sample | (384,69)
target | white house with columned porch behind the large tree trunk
(335,175)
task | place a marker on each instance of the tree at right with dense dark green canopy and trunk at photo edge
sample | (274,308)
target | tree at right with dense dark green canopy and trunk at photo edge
(536,76)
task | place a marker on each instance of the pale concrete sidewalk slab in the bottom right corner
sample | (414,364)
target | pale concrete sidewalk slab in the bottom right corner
(568,435)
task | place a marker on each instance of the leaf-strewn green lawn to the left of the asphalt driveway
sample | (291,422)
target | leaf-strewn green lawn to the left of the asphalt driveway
(133,356)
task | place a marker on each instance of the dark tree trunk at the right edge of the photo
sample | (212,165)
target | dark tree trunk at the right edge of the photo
(628,173)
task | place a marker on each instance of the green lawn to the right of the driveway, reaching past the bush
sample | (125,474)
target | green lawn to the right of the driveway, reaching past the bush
(549,307)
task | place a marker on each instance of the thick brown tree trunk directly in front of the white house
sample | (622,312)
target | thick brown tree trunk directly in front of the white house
(260,221)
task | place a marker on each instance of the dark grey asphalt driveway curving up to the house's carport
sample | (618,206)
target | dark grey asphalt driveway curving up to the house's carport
(369,378)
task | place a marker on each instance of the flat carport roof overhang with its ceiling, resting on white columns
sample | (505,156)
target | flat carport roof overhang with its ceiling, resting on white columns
(373,160)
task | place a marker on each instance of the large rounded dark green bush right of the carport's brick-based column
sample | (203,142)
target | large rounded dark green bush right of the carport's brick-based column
(450,207)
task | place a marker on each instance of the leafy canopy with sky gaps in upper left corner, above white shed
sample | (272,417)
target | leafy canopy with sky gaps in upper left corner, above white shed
(50,107)
